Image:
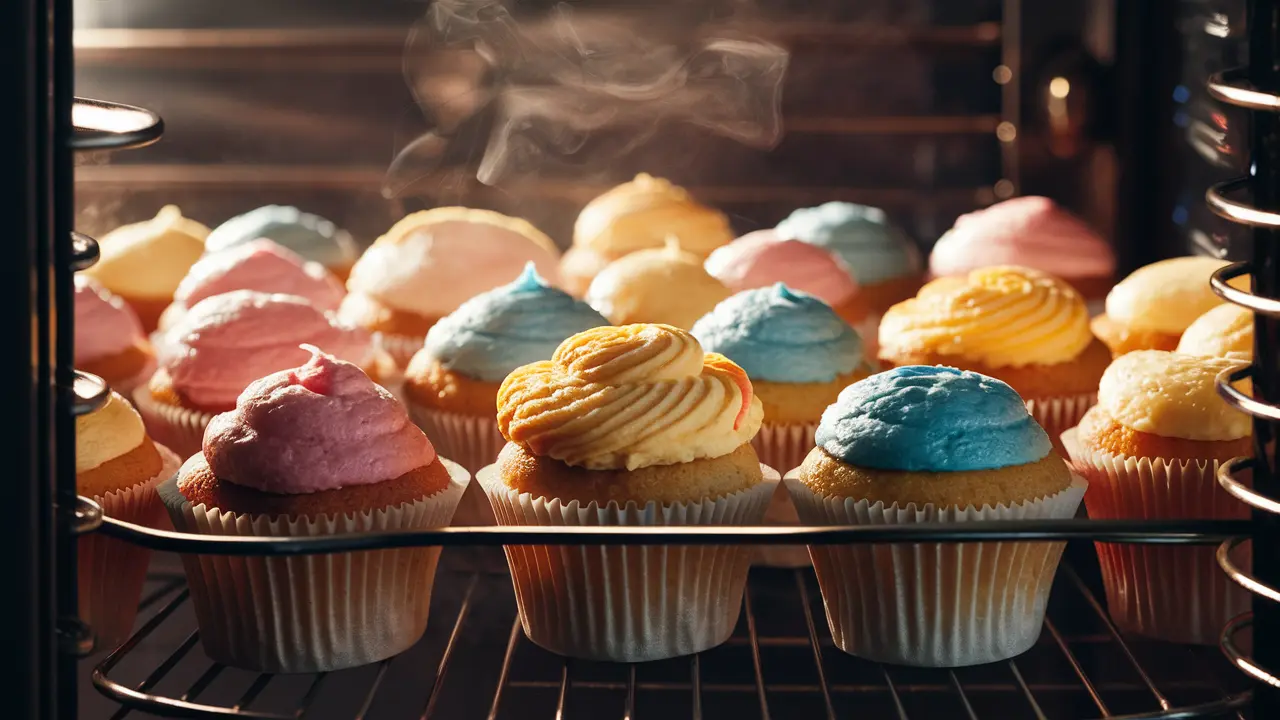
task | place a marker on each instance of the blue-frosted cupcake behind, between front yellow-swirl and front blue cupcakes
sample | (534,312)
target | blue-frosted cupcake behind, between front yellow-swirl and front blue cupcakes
(799,356)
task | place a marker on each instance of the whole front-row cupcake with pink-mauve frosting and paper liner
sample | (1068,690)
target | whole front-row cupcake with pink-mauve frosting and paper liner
(318,450)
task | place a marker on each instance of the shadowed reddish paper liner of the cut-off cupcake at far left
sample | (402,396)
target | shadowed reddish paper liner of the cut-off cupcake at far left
(112,572)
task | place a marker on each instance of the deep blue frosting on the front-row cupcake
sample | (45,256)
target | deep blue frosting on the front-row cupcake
(922,418)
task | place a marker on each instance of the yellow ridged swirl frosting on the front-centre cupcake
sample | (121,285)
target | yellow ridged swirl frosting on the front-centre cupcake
(630,397)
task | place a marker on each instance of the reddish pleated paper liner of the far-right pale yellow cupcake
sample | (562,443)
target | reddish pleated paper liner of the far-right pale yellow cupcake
(1174,594)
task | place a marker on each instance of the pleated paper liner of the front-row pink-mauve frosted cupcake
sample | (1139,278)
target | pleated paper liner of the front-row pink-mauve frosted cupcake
(316,613)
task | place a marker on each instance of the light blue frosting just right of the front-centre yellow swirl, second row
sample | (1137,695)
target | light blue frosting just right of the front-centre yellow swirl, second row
(783,336)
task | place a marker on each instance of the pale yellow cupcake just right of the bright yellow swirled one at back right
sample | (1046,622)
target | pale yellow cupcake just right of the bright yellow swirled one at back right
(1153,307)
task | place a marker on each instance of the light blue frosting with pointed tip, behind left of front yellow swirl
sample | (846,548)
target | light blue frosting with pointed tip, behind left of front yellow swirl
(499,331)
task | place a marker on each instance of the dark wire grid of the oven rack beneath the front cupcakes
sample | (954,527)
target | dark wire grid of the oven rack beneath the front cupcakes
(476,664)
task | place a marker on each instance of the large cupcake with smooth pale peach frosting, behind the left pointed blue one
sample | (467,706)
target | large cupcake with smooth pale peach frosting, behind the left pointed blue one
(432,262)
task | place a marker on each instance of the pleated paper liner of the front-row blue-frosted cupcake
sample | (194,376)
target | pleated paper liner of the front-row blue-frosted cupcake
(934,605)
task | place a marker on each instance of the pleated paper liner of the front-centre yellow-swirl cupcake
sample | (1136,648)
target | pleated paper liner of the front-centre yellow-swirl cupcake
(628,604)
